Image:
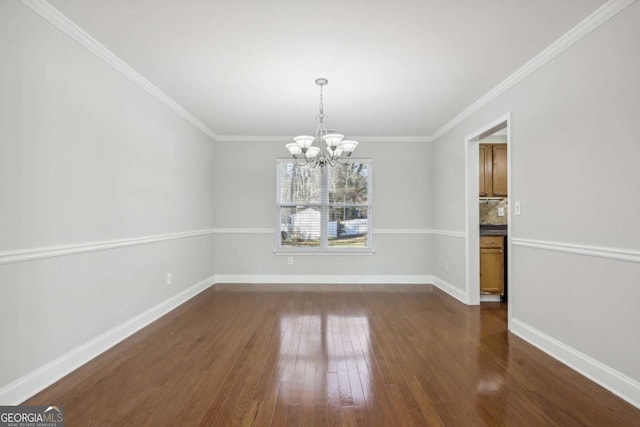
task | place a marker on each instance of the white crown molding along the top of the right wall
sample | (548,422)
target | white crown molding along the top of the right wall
(593,21)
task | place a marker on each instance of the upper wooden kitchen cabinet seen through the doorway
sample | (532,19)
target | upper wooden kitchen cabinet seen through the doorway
(493,170)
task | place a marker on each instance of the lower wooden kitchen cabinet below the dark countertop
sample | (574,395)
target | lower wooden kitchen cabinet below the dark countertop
(492,264)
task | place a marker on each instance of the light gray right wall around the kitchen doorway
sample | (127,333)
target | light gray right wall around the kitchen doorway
(575,171)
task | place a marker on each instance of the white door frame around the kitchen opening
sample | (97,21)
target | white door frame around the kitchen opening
(472,210)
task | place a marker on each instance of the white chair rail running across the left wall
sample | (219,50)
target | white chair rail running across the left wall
(30,254)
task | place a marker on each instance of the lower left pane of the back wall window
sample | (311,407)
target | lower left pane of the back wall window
(300,226)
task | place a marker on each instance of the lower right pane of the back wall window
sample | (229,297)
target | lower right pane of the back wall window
(348,227)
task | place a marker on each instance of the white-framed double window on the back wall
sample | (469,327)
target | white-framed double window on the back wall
(324,209)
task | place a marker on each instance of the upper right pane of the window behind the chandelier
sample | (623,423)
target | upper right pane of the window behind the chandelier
(349,183)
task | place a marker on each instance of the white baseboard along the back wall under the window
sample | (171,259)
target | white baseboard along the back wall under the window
(322,279)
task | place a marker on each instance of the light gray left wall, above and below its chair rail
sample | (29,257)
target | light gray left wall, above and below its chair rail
(87,156)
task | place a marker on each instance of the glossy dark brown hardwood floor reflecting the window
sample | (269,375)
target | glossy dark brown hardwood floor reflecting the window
(326,355)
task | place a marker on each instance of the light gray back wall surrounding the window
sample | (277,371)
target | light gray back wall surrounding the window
(246,206)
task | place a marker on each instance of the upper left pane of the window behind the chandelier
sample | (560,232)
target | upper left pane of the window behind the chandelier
(299,184)
